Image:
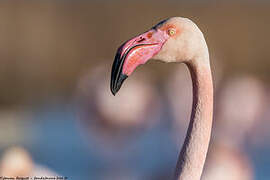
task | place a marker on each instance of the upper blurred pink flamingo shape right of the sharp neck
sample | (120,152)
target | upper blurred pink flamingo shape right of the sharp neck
(241,102)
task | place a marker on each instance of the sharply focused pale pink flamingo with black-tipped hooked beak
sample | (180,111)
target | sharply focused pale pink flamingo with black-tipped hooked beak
(176,40)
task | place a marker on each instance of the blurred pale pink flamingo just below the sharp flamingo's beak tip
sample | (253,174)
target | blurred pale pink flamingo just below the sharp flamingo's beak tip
(103,121)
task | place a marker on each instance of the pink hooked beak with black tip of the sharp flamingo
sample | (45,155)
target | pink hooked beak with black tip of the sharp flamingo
(133,53)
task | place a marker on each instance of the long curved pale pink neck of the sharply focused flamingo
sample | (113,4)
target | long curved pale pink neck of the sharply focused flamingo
(193,153)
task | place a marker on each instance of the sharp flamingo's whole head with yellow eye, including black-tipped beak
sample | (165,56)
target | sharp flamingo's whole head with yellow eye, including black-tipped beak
(172,40)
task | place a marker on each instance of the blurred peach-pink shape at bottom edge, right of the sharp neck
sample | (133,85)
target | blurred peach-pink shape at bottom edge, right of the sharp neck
(226,162)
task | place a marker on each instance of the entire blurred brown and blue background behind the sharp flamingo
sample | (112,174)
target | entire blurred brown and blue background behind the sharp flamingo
(58,117)
